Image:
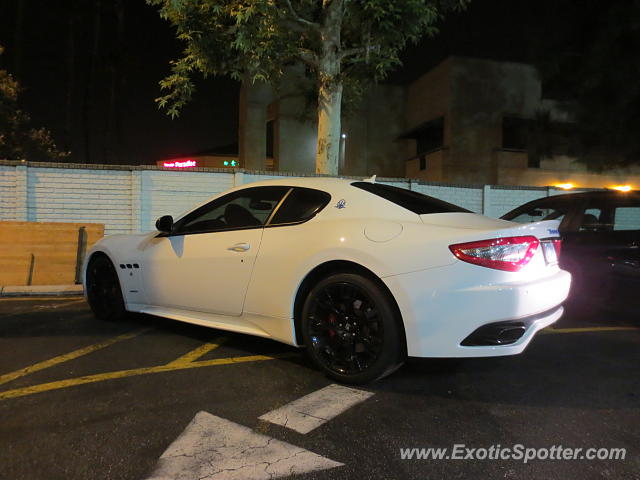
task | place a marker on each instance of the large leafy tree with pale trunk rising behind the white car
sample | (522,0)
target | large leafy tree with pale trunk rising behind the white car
(340,42)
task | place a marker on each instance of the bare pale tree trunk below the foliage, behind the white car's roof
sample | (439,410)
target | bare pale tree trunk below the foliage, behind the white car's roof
(329,107)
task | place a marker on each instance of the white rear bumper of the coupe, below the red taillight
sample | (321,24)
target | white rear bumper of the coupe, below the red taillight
(445,309)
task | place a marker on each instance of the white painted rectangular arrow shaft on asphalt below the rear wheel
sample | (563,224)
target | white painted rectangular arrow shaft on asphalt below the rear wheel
(311,411)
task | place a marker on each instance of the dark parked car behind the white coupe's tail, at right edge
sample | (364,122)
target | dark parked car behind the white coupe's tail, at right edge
(600,243)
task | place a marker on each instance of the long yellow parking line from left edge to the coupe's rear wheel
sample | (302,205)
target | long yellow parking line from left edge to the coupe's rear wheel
(45,387)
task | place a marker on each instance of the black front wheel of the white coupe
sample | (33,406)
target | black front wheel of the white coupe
(103,289)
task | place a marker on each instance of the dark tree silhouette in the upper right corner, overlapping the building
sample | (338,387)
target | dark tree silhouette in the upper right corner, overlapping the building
(590,63)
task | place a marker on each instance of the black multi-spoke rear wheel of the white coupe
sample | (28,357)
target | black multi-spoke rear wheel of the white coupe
(351,330)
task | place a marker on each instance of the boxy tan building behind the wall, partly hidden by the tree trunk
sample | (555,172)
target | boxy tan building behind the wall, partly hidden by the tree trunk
(461,122)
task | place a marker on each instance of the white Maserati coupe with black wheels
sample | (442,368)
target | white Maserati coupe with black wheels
(360,273)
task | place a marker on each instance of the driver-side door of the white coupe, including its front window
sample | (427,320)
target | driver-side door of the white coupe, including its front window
(206,262)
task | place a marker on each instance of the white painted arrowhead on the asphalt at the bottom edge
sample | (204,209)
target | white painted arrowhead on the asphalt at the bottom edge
(212,448)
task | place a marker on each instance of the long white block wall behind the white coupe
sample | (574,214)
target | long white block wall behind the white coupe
(129,199)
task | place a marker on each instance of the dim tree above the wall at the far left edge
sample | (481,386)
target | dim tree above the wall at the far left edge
(17,139)
